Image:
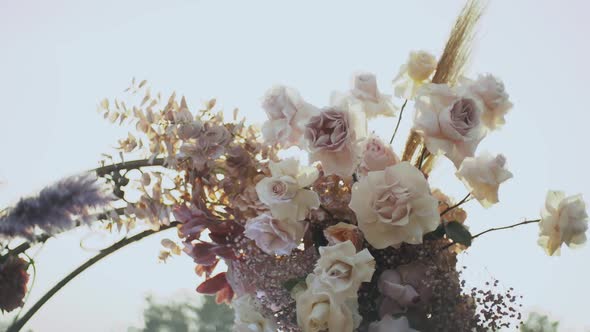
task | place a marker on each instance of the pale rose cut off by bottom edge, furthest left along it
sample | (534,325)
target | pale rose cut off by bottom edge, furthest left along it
(248,319)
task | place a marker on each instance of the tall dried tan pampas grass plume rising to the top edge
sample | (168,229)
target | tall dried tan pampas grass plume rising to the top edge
(451,63)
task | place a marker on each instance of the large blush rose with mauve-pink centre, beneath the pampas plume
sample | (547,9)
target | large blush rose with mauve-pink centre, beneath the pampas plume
(449,120)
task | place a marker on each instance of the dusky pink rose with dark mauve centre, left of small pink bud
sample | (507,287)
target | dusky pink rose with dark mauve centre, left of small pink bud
(331,140)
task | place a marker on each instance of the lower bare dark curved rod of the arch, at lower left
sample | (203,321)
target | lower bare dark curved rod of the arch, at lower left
(17,326)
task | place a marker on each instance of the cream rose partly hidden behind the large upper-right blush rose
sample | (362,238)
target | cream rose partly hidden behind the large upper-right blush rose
(493,94)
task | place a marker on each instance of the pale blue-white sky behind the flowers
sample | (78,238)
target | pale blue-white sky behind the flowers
(60,57)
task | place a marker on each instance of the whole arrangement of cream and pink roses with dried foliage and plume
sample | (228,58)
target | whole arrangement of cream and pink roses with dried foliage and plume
(352,239)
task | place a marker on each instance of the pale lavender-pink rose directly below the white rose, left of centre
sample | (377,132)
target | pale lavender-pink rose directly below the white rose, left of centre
(273,236)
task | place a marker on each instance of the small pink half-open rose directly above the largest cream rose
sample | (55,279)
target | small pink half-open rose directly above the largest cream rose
(376,156)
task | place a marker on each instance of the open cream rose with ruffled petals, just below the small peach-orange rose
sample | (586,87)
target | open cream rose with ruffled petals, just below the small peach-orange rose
(343,269)
